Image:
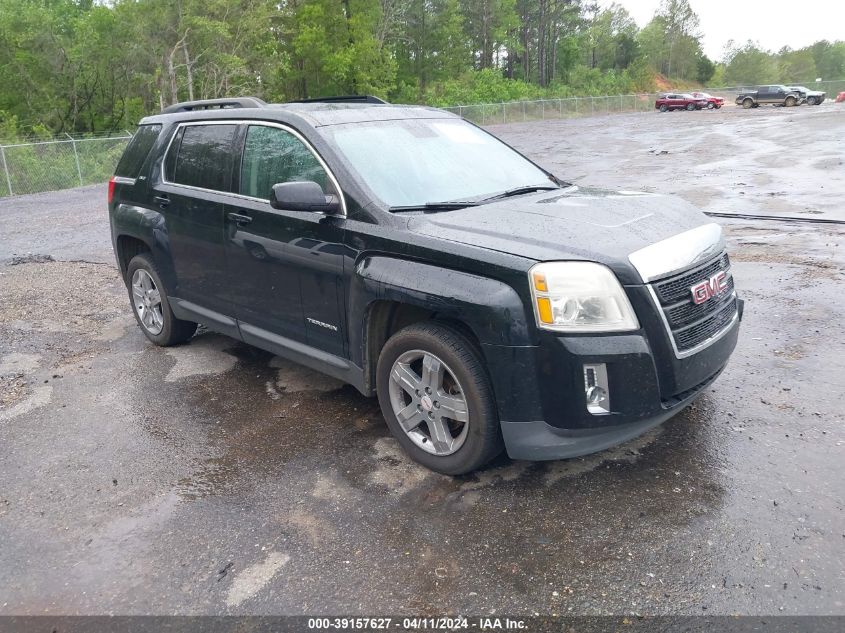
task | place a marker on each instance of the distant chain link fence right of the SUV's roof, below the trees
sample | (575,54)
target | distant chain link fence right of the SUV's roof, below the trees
(569,107)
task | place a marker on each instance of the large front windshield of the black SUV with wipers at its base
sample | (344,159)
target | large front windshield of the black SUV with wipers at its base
(412,162)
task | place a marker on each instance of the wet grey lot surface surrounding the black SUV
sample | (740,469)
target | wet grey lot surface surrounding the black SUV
(213,478)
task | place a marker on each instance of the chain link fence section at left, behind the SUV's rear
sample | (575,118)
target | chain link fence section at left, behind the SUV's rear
(58,164)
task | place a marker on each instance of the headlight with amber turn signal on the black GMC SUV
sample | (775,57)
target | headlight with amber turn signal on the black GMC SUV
(580,297)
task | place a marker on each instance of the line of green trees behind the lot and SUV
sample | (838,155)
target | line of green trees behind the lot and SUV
(79,66)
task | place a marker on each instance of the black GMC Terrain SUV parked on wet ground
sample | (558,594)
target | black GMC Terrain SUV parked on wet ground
(487,303)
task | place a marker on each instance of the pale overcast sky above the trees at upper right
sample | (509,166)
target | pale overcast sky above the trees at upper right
(772,23)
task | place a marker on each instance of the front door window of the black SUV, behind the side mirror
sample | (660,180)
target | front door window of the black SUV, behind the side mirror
(273,155)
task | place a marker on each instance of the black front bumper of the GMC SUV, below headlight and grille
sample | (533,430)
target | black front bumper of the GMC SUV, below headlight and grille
(541,399)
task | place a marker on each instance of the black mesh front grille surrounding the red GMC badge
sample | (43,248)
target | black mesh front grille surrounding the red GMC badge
(691,324)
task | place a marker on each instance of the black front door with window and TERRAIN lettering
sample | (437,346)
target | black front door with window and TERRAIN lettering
(285,269)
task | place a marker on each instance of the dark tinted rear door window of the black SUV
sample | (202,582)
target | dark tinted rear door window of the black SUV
(204,157)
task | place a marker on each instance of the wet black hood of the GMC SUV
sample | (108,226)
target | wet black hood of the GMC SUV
(574,223)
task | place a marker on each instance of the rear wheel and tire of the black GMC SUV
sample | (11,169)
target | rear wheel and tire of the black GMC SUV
(156,320)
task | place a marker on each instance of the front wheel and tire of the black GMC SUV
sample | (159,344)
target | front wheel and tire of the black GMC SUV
(404,384)
